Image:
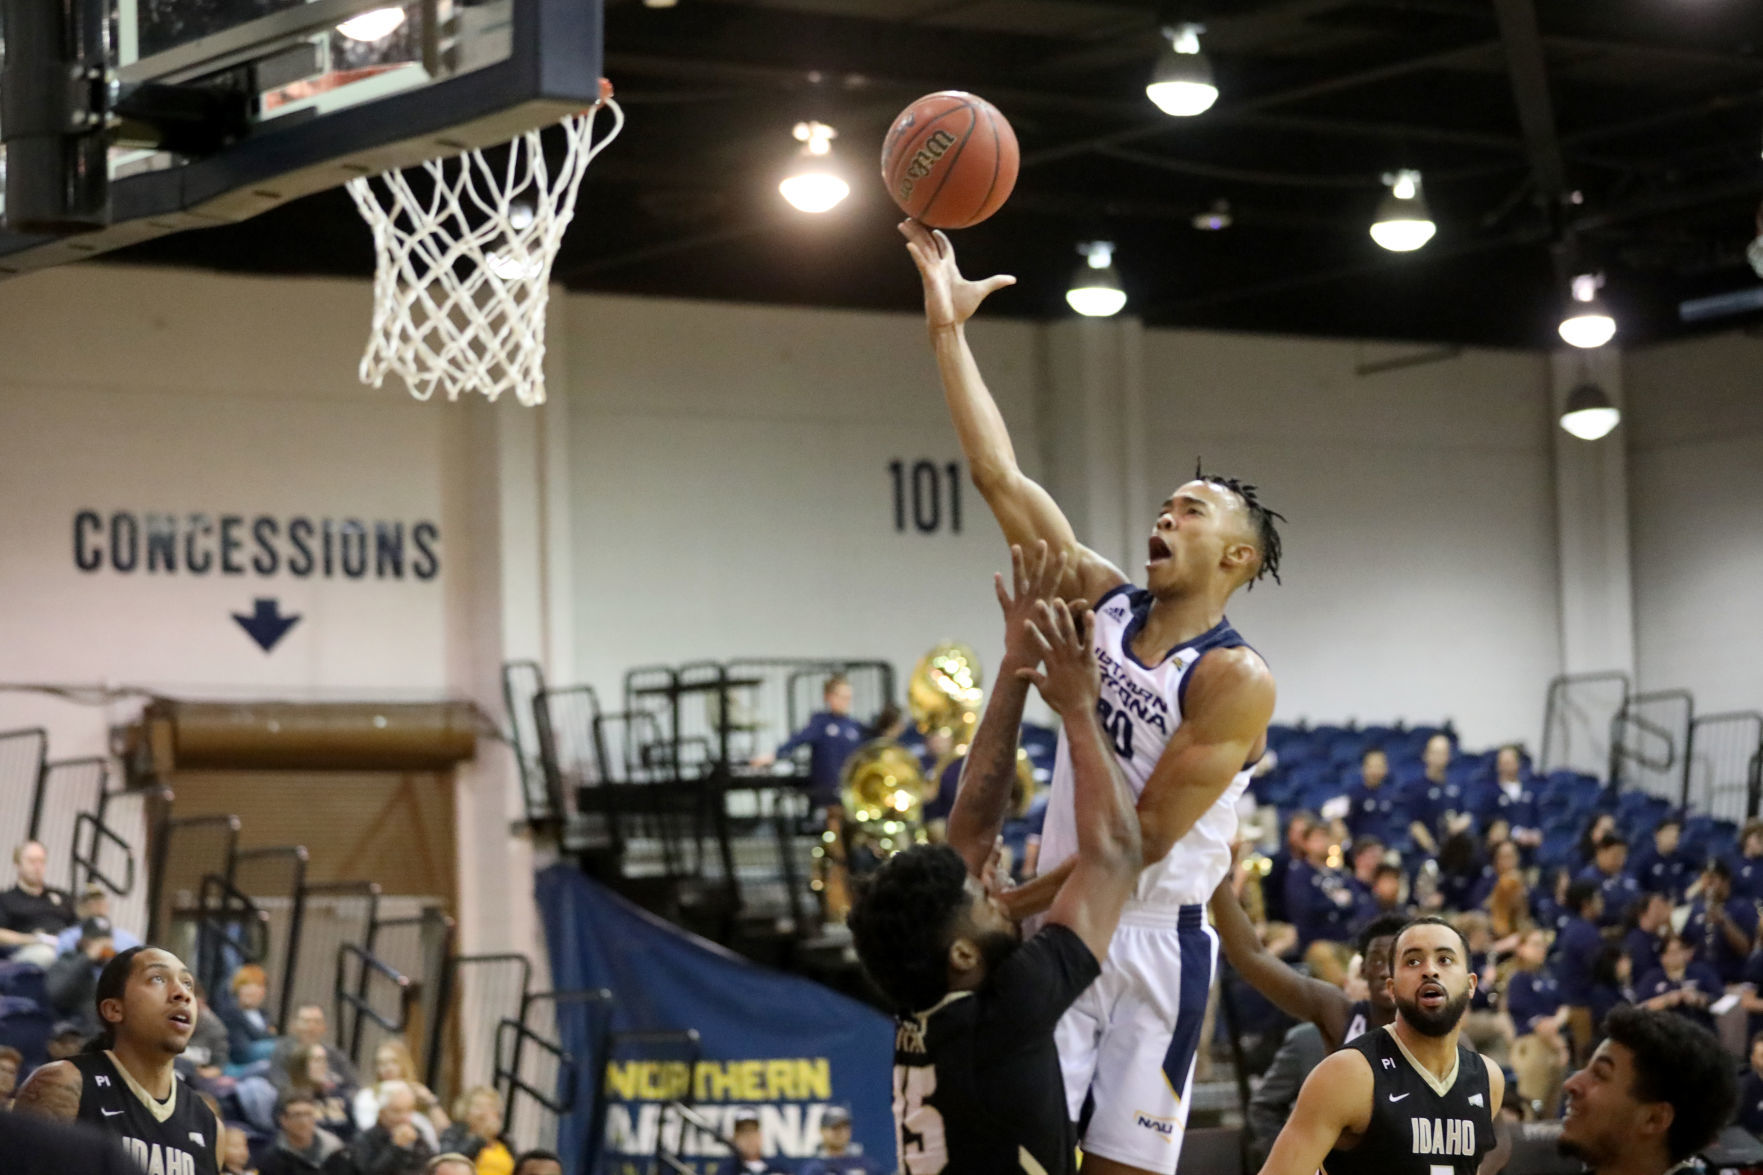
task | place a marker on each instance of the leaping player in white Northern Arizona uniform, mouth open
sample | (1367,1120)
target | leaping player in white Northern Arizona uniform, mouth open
(1186,705)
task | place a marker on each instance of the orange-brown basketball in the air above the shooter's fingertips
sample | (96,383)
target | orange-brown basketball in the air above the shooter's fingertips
(949,160)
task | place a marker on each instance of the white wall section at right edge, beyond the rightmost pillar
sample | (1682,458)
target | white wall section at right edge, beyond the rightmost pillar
(1695,437)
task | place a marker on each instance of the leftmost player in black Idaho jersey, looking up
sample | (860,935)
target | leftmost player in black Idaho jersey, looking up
(124,1082)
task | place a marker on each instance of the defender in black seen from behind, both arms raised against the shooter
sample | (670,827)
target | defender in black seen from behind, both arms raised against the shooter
(976,1072)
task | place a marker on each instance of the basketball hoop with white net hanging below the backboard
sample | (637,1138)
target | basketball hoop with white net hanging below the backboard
(463,274)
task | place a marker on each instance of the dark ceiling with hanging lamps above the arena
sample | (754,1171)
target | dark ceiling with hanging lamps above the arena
(1554,137)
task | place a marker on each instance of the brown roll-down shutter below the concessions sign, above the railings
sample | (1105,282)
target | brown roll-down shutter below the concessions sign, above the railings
(396,830)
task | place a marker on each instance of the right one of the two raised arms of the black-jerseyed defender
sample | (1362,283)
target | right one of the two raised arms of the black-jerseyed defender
(1108,830)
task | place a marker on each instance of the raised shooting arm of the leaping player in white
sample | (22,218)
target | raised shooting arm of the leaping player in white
(1023,509)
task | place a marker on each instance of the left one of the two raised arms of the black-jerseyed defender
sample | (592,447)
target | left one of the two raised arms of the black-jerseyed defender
(990,770)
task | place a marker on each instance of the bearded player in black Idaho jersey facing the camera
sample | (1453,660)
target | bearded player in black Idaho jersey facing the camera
(1406,1100)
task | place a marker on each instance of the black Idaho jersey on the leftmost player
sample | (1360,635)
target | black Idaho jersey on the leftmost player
(174,1137)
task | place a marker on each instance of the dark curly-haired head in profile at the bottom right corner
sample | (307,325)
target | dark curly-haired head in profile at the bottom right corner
(1656,1093)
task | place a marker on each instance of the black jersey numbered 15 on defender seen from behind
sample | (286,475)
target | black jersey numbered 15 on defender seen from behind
(978,1086)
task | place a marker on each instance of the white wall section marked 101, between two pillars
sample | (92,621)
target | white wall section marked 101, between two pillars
(734,493)
